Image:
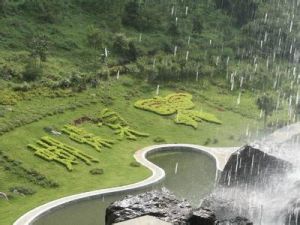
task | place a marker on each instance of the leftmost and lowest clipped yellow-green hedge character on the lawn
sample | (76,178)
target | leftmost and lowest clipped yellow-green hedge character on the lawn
(52,150)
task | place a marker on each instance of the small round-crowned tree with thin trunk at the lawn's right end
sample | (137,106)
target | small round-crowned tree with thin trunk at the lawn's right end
(267,104)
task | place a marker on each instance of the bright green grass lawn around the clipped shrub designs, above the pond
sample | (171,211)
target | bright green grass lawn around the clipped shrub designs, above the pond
(115,161)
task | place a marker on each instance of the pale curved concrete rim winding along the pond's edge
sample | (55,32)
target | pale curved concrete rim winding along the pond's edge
(220,155)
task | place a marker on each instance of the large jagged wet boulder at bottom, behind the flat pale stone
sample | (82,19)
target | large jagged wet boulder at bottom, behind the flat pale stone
(160,204)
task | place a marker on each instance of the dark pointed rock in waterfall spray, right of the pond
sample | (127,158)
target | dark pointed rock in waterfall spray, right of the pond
(251,166)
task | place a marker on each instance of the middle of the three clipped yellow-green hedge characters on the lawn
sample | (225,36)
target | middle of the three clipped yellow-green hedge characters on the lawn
(82,136)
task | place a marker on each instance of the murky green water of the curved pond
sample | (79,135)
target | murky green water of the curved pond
(189,174)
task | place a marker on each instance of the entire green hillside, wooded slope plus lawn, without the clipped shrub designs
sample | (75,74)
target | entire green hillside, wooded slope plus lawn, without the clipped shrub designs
(64,60)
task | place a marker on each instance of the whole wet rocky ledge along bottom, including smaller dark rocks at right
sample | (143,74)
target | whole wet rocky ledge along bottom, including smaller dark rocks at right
(163,205)
